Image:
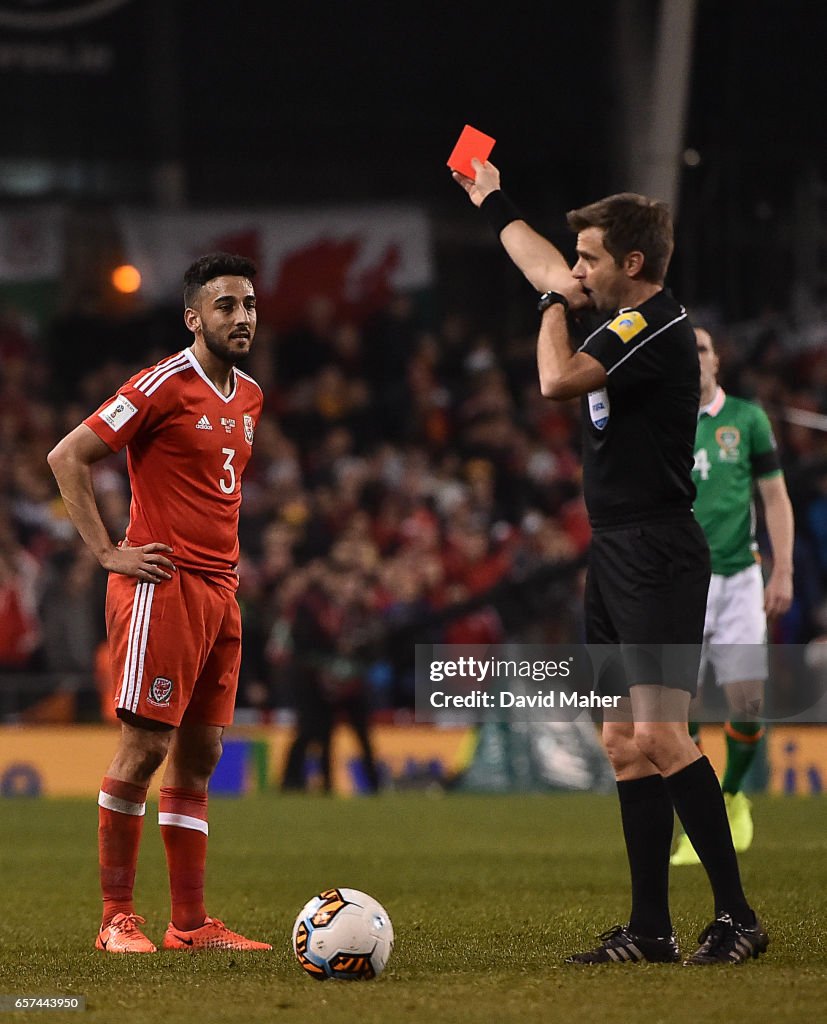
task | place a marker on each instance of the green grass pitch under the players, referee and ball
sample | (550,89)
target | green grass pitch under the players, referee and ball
(487,894)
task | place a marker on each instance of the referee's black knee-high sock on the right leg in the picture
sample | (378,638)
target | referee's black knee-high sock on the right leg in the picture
(700,804)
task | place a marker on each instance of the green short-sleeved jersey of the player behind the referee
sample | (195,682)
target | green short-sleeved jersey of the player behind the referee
(731,451)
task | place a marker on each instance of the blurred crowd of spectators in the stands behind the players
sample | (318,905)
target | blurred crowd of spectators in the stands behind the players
(409,484)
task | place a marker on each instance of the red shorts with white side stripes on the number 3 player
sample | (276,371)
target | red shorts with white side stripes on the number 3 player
(176,649)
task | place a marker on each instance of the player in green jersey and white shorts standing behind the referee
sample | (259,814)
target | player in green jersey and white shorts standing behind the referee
(735,452)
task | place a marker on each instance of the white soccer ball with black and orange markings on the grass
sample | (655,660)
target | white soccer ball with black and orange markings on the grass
(343,934)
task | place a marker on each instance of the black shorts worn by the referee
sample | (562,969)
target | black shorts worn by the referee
(646,591)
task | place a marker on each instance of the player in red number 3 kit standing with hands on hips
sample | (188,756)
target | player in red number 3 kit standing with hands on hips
(172,618)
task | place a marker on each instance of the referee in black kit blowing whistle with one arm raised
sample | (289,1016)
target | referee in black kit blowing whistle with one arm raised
(649,563)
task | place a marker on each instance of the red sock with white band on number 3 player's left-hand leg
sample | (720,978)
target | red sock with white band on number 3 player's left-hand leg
(121,810)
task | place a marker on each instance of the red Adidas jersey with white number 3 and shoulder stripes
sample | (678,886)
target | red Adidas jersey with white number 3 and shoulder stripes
(188,447)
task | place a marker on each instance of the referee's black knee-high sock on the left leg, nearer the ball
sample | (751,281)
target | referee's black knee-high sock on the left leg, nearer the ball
(646,810)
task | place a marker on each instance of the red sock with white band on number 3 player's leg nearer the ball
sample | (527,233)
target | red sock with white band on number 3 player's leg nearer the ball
(183,817)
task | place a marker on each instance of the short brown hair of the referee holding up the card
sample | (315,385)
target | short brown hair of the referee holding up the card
(631,224)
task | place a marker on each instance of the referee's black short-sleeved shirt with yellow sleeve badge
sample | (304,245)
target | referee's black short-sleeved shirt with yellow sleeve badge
(639,432)
